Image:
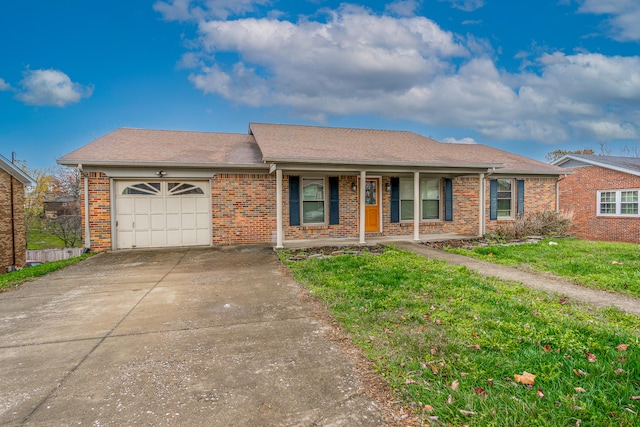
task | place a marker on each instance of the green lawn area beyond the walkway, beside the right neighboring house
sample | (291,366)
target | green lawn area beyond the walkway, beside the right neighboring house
(599,265)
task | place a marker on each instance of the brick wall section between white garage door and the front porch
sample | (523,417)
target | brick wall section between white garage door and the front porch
(243,209)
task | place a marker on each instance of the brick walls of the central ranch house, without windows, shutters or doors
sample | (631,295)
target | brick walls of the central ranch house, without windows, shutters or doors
(244,210)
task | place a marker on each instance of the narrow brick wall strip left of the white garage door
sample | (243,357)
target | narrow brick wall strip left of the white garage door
(99,211)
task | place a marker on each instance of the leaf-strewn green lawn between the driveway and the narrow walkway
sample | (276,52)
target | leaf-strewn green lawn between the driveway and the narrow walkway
(456,347)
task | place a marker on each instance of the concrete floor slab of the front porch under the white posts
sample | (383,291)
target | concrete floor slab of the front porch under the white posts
(372,241)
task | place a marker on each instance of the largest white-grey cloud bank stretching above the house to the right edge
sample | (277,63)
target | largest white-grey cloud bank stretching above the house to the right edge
(351,61)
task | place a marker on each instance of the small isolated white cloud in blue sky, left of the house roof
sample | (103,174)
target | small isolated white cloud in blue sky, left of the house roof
(51,88)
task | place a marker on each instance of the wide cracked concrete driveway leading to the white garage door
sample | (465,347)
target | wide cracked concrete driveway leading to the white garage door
(204,336)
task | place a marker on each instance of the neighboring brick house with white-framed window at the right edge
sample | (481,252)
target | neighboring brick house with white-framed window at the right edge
(602,192)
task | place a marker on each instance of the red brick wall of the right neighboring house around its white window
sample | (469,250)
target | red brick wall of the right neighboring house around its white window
(578,193)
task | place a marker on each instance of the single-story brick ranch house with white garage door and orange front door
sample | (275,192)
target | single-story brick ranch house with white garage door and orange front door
(284,183)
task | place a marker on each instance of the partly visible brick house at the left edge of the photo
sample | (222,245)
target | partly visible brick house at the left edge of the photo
(13,233)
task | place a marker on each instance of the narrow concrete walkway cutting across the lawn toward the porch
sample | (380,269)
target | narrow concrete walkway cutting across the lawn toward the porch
(534,281)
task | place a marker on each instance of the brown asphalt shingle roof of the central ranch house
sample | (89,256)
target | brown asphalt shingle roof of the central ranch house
(268,143)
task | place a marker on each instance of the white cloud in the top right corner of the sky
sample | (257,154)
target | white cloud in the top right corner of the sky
(624,16)
